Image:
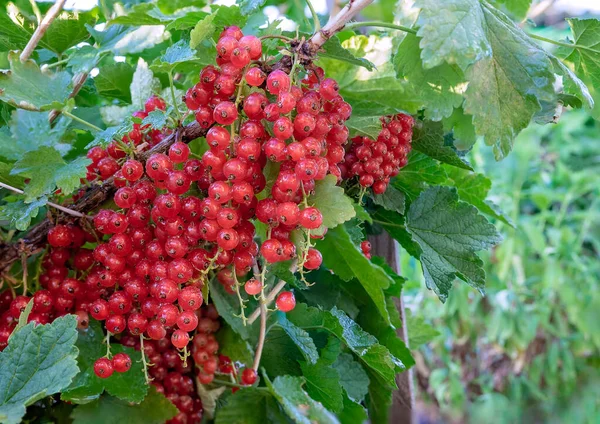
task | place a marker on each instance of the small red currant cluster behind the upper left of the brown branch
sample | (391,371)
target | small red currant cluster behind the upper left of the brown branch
(107,162)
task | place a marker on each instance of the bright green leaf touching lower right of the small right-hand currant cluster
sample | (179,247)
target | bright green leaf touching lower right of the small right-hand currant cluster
(420,172)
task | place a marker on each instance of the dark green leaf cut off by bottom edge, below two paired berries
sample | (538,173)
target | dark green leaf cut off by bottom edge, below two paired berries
(155,409)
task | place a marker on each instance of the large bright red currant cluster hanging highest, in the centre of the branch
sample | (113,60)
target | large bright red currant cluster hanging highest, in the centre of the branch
(294,126)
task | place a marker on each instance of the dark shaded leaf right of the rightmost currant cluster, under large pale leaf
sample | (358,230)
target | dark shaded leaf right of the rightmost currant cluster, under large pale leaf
(429,138)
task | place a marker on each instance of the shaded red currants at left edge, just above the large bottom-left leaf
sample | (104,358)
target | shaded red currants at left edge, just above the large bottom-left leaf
(62,290)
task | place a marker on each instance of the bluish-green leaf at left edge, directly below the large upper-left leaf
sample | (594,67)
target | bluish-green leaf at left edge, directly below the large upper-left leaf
(31,130)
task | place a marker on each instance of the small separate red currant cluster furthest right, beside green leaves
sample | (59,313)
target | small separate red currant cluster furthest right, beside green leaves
(374,162)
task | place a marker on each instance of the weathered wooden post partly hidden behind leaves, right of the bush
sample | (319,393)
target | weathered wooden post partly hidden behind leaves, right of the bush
(403,404)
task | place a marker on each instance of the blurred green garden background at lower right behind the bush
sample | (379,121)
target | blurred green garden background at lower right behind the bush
(529,351)
